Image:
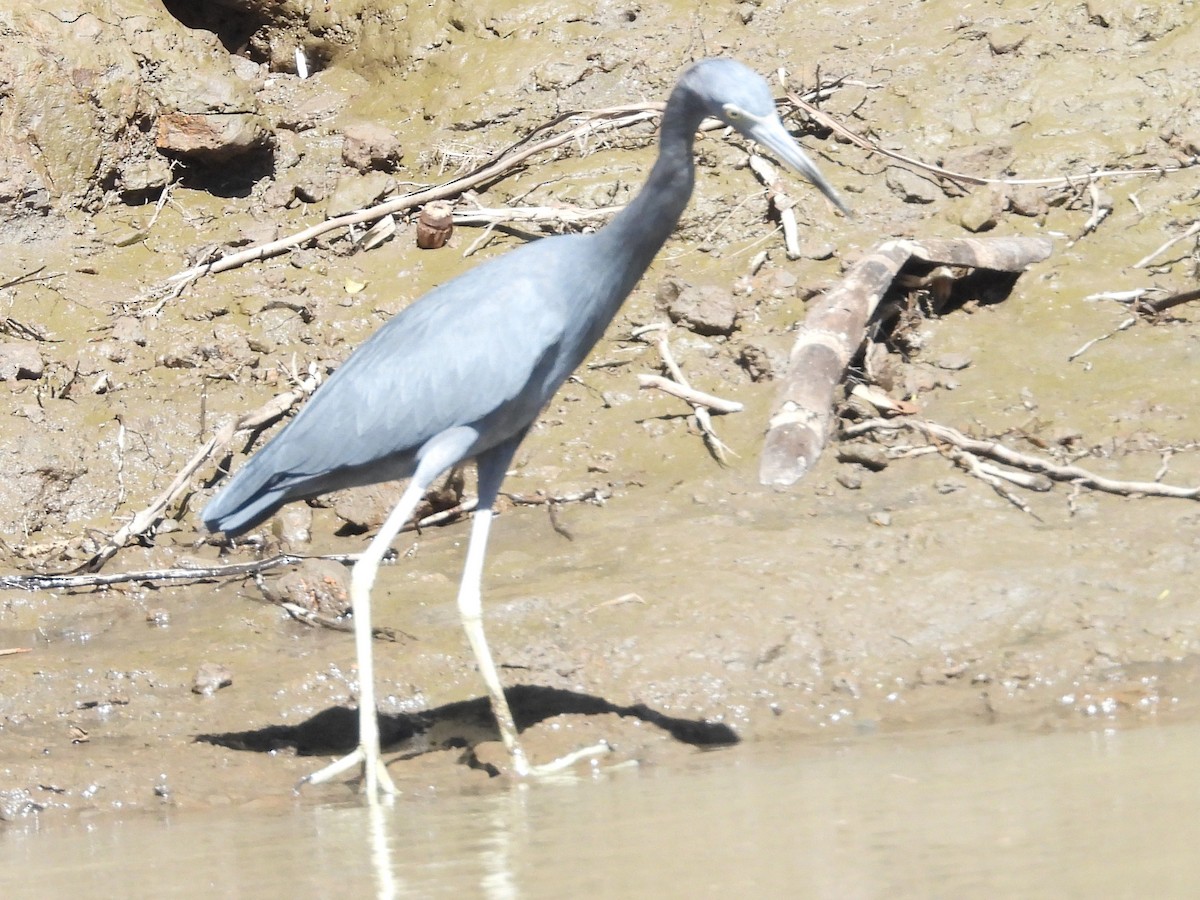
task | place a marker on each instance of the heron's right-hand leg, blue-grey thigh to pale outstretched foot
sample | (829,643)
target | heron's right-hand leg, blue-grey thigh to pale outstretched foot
(493,467)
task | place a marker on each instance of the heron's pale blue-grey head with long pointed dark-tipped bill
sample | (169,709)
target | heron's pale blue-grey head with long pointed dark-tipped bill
(741,99)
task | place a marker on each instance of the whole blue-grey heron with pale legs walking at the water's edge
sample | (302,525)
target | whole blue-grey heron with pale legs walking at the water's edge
(463,374)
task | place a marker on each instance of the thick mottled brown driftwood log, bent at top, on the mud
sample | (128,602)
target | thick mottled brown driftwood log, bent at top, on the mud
(835,329)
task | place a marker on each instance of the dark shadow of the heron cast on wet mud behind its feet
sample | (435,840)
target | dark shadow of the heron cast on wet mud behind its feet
(460,725)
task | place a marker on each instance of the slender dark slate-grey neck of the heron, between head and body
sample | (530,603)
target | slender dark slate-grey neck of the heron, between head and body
(641,230)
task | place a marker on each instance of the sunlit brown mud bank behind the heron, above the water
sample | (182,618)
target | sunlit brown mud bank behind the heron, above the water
(693,607)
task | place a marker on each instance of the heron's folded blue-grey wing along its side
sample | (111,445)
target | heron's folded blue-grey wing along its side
(481,345)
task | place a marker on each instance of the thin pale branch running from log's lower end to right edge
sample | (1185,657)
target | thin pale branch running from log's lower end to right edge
(945,436)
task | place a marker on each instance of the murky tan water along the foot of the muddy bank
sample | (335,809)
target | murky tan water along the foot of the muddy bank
(986,813)
